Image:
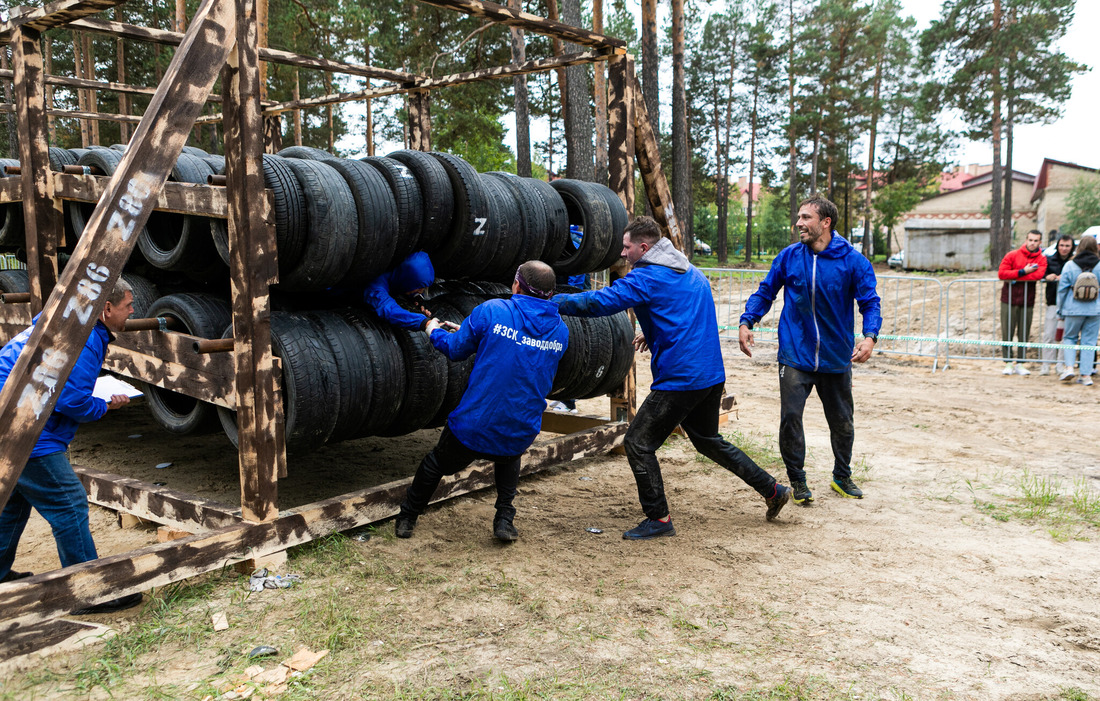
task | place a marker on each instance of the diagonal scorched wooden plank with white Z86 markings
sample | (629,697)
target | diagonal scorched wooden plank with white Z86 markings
(74,308)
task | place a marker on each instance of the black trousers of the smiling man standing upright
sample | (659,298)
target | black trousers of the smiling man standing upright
(834,390)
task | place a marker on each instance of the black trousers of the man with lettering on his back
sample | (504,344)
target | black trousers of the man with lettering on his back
(450,457)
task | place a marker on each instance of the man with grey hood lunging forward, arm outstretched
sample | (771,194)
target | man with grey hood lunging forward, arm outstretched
(675,308)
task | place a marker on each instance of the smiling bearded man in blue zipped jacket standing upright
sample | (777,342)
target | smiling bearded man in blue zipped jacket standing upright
(821,277)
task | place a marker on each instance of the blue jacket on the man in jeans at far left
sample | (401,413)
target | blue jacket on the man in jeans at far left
(75,406)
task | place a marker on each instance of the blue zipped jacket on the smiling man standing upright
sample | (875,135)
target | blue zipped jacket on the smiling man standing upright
(816,328)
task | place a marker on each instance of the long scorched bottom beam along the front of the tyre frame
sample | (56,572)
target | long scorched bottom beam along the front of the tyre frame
(47,596)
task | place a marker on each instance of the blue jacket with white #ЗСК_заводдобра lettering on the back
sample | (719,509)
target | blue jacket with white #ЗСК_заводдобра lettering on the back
(519,344)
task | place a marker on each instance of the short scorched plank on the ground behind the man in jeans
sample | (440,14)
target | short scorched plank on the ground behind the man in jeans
(159,505)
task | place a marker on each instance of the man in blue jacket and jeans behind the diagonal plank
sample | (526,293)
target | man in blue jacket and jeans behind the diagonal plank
(48,481)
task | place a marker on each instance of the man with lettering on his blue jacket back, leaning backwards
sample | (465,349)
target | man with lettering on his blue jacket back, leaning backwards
(518,345)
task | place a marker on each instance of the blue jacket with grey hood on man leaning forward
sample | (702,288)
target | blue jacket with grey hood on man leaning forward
(675,308)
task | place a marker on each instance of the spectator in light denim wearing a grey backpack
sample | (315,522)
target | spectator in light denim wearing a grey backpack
(1079,304)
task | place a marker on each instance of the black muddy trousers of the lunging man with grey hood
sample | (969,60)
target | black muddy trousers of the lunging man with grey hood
(697,412)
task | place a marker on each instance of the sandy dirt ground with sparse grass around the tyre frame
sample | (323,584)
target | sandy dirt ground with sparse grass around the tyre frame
(947,582)
